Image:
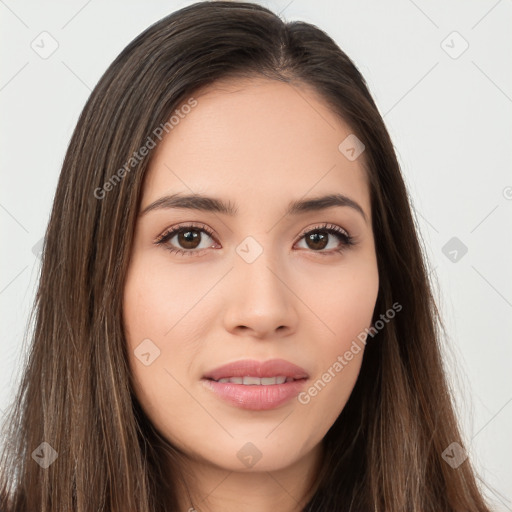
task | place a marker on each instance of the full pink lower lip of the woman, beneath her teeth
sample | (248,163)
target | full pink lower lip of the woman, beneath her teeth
(256,398)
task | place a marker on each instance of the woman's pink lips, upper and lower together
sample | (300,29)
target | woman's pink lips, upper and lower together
(256,398)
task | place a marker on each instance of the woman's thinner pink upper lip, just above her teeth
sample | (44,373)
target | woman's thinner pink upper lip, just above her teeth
(253,368)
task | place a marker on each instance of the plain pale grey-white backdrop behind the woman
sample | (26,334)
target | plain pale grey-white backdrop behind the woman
(448,110)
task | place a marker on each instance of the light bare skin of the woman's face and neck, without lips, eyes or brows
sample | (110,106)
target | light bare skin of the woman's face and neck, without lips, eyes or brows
(258,144)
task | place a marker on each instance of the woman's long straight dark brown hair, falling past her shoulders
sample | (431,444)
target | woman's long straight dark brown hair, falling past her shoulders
(383,453)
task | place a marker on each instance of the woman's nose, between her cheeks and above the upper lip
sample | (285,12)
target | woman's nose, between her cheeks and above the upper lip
(260,302)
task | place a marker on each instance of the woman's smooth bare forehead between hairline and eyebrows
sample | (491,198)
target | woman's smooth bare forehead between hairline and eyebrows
(249,138)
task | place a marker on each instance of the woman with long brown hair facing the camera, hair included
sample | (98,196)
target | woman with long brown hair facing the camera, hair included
(234,311)
